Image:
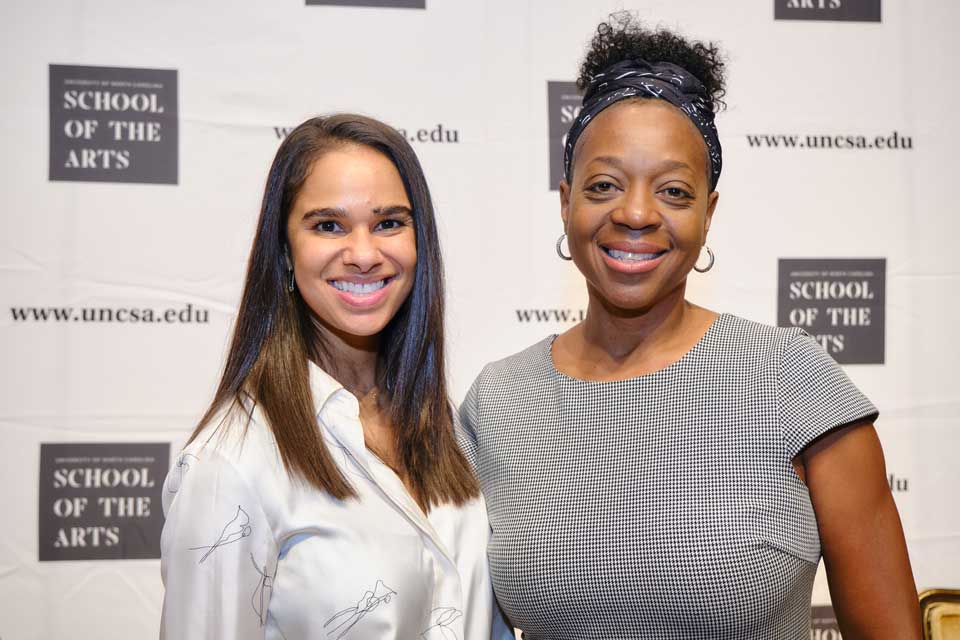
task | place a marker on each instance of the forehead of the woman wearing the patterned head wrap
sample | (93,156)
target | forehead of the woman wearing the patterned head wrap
(643,132)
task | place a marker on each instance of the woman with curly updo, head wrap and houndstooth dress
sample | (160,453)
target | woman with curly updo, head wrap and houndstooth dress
(661,470)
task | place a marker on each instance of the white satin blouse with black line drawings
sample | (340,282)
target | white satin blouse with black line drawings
(248,552)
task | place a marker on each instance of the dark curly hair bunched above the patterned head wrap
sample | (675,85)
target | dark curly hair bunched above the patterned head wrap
(623,37)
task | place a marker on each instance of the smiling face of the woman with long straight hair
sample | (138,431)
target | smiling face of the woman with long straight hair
(352,243)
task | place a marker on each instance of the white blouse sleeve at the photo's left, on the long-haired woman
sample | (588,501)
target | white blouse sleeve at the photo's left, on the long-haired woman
(218,554)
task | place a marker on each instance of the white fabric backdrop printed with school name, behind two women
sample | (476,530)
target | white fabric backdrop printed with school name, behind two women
(481,69)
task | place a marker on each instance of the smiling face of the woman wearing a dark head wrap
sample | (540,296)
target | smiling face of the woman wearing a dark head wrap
(639,205)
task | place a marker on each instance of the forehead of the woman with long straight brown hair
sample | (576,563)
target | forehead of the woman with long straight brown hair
(351,173)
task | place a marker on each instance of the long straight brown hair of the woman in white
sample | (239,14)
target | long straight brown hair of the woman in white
(274,337)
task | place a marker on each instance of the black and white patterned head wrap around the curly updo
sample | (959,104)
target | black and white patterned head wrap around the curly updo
(638,78)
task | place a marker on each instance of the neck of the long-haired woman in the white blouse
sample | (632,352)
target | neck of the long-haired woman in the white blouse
(350,359)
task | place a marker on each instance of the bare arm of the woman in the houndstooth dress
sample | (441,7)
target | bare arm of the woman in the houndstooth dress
(864,550)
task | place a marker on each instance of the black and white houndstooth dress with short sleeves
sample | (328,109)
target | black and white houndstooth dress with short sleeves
(663,506)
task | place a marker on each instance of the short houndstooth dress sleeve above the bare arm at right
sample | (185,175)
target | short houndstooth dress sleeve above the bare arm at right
(814,395)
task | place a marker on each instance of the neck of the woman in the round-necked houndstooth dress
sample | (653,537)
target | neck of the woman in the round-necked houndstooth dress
(620,333)
